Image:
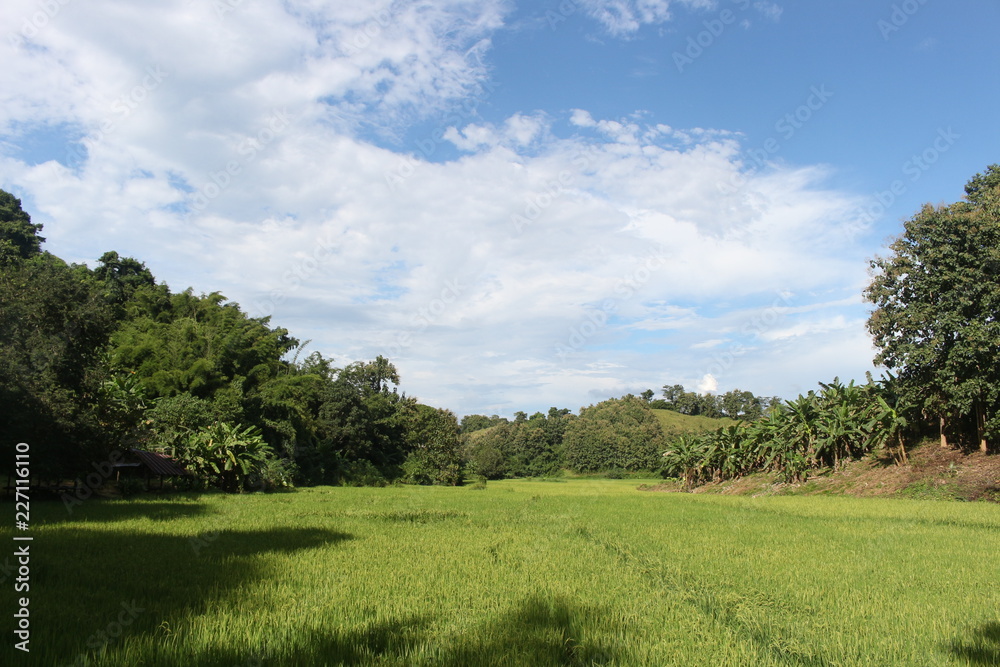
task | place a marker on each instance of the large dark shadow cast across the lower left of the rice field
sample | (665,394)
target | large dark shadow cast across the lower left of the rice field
(89,587)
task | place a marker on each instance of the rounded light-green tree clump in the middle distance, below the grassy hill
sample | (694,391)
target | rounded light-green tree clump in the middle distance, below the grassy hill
(615,434)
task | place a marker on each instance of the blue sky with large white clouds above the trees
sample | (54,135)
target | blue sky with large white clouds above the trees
(523,205)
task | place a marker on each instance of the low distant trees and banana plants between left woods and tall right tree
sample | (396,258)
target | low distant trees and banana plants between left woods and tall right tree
(818,430)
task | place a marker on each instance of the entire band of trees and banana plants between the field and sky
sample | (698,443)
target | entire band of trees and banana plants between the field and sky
(96,360)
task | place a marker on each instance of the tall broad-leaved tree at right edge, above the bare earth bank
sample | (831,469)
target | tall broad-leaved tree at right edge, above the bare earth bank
(936,300)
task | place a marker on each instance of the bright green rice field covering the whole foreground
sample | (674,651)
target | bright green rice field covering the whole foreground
(573,572)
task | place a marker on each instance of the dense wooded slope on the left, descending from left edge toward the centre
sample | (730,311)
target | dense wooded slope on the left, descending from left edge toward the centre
(94,360)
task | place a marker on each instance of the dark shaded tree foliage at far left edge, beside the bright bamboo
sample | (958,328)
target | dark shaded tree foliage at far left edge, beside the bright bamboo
(53,326)
